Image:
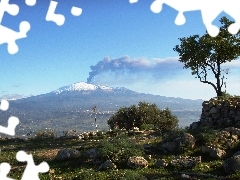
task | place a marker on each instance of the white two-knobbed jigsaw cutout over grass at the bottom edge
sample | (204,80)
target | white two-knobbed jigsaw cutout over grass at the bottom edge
(31,171)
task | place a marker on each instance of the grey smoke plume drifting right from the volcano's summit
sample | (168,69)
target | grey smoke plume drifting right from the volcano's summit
(134,69)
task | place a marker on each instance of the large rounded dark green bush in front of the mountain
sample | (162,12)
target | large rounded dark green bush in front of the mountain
(143,114)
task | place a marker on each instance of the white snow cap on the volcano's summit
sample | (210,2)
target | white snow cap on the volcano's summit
(82,86)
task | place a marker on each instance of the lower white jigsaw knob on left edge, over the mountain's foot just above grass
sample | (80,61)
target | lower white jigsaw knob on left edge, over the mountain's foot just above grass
(10,130)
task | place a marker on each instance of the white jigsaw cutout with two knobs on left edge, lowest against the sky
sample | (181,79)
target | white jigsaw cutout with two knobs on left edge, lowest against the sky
(9,36)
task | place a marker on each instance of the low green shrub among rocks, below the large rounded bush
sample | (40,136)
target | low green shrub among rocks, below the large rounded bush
(119,149)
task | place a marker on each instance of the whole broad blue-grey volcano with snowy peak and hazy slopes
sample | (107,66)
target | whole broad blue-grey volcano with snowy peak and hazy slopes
(71,107)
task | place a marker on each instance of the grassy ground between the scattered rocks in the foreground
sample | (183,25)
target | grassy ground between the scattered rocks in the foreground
(45,149)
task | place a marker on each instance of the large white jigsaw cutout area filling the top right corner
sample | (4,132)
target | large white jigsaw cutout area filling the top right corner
(208,13)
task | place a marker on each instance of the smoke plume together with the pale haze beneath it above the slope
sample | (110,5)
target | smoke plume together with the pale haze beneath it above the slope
(164,77)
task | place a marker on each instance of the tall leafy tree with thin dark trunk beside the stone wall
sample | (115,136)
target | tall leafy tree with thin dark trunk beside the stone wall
(207,54)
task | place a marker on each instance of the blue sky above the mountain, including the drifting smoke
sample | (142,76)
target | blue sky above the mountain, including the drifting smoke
(108,34)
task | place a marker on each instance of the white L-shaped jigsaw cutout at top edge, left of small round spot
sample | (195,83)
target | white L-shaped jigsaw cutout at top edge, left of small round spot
(59,19)
